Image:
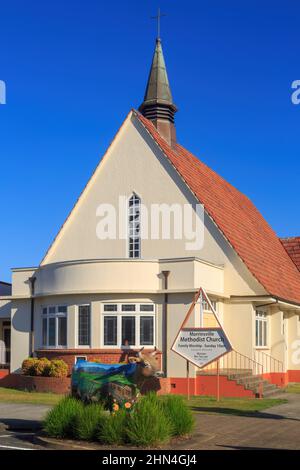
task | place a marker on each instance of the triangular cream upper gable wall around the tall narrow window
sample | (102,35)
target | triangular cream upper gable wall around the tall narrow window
(135,164)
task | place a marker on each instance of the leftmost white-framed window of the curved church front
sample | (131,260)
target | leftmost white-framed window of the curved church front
(54,326)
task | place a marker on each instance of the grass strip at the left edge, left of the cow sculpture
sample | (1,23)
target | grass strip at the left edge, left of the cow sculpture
(9,395)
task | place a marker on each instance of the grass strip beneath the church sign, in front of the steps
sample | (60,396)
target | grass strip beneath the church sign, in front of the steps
(233,406)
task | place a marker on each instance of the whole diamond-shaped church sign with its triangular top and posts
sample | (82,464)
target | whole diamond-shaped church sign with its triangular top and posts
(201,345)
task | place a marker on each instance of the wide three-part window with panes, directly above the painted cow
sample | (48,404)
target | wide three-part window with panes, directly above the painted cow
(128,325)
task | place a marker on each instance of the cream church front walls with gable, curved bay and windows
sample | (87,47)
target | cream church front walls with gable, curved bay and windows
(88,293)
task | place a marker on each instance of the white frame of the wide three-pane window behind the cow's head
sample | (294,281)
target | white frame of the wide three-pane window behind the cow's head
(119,314)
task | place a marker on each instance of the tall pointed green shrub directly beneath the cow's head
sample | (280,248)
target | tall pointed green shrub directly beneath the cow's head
(148,423)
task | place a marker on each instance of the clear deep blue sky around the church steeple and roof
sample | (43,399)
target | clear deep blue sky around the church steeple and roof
(73,70)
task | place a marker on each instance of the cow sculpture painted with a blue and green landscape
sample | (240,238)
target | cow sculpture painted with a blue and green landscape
(119,383)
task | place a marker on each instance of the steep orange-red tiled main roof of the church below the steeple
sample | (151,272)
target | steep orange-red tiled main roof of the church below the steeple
(238,219)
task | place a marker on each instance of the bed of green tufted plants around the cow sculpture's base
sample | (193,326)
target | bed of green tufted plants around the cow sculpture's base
(152,422)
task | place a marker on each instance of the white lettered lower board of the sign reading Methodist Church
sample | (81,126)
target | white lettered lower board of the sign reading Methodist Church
(201,345)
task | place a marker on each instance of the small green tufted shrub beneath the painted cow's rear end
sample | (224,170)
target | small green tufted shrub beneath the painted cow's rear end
(88,422)
